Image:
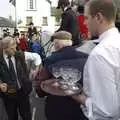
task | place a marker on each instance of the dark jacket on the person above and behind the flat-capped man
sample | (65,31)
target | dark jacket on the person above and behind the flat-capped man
(69,23)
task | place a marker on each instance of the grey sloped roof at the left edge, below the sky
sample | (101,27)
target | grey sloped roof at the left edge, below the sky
(4,22)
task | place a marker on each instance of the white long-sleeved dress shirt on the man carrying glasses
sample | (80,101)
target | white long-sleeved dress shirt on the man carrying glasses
(102,78)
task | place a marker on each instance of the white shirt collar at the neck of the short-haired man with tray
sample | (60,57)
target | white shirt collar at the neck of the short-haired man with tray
(107,33)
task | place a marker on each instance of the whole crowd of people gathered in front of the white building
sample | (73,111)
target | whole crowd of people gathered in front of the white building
(98,65)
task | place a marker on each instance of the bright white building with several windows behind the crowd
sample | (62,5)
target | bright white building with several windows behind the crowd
(36,11)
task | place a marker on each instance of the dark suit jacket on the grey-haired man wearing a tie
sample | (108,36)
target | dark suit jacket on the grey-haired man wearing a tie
(22,73)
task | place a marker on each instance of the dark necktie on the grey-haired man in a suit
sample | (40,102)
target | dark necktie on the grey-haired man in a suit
(12,73)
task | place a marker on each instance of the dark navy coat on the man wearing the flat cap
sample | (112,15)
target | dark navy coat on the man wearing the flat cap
(61,107)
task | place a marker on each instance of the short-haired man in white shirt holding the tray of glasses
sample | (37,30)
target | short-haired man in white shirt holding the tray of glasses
(101,97)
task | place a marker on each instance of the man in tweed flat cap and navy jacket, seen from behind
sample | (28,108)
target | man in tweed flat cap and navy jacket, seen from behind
(61,107)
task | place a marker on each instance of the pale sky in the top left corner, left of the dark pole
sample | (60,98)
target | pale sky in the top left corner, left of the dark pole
(4,8)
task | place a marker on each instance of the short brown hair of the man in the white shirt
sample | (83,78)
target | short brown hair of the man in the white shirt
(106,7)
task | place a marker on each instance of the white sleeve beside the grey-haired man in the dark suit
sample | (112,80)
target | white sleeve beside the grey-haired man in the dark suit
(34,57)
